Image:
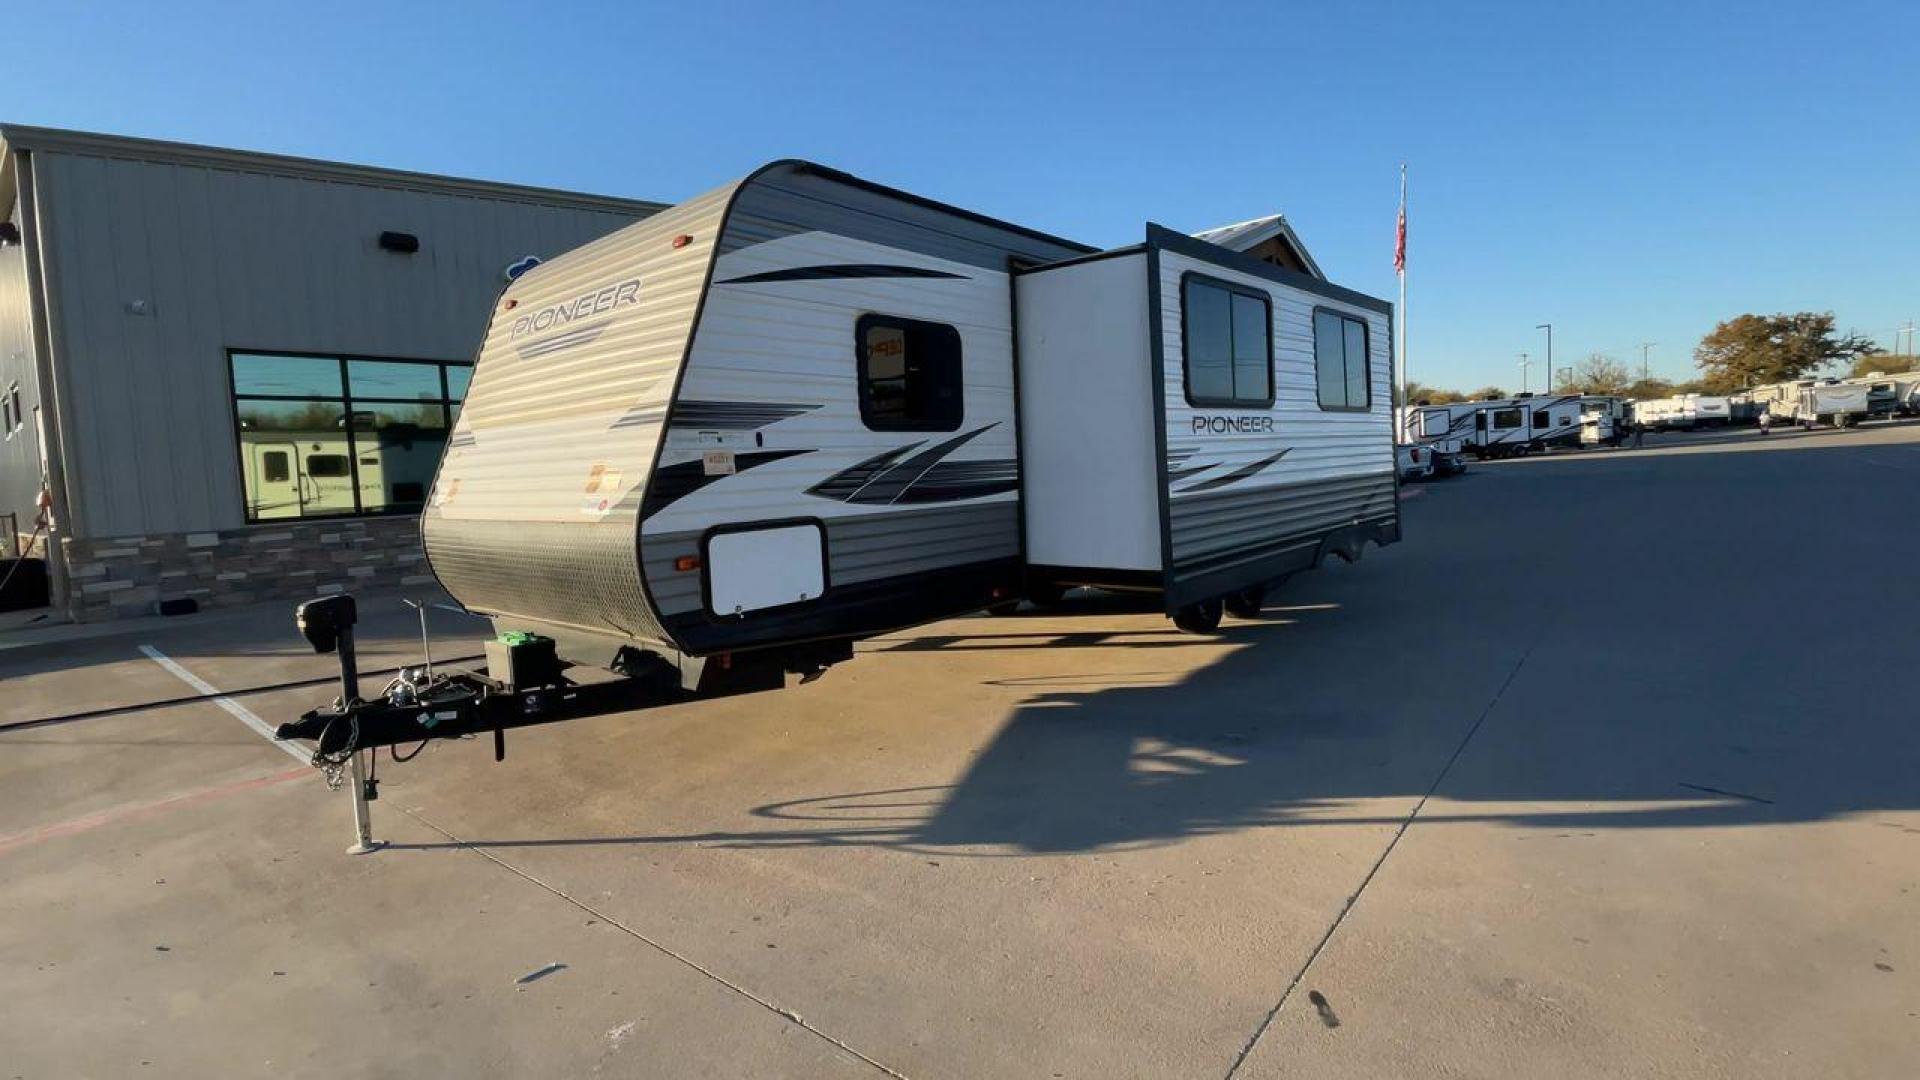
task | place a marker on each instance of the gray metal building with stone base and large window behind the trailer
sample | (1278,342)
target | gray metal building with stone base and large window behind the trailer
(231,376)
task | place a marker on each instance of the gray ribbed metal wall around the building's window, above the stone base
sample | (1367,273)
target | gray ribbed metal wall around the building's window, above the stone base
(228,260)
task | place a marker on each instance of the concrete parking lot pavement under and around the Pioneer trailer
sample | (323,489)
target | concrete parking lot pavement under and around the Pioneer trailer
(1610,770)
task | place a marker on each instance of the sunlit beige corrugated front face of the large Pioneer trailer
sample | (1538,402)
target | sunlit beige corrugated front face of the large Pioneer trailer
(514,528)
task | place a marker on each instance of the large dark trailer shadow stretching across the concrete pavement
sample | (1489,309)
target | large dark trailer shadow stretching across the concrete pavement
(1524,681)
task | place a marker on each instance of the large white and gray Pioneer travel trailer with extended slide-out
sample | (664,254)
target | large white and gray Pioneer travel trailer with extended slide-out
(798,412)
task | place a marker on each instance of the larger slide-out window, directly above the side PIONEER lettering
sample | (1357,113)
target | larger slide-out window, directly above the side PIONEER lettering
(1226,345)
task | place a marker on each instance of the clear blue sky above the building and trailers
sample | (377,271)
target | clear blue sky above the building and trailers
(1627,172)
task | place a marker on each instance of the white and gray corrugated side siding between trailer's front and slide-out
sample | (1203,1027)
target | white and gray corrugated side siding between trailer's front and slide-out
(794,341)
